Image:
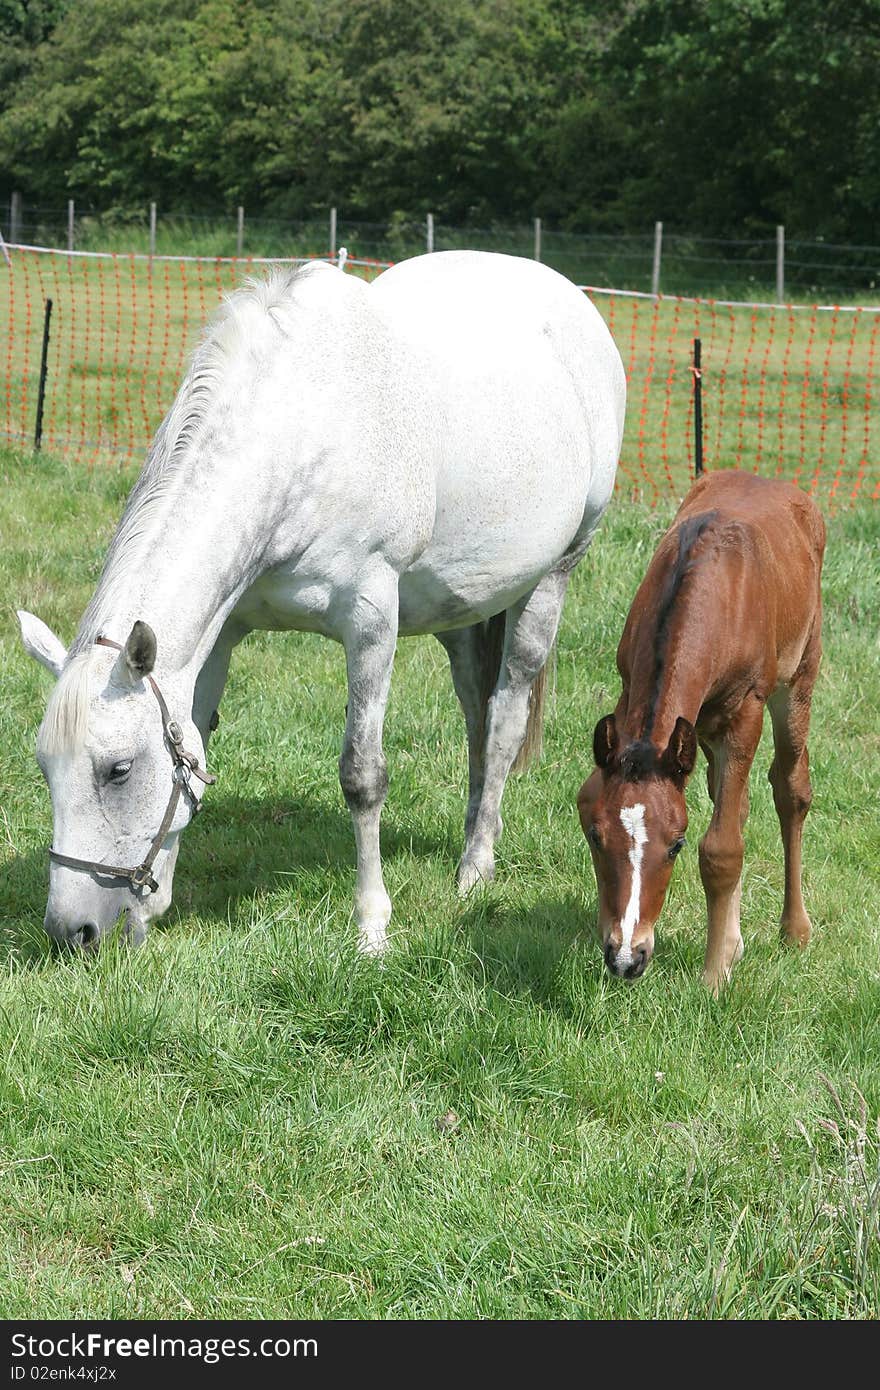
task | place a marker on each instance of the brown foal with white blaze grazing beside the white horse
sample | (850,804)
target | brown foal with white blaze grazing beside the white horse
(726,621)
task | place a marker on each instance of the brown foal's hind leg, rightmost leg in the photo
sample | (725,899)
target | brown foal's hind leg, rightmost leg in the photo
(790,707)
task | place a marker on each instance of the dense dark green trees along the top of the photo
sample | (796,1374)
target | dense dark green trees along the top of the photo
(721,116)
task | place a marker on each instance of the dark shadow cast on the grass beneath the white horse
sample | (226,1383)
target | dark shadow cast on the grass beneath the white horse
(238,847)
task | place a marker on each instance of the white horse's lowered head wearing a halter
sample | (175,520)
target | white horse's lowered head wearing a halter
(116,775)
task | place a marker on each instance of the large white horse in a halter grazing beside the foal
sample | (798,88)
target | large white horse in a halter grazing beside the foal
(429,454)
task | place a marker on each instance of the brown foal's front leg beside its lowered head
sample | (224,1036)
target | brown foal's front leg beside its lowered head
(722,847)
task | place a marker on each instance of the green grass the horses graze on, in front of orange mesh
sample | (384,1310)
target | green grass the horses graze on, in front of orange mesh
(243,1118)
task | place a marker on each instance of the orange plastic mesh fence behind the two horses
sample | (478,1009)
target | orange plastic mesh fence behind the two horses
(789,391)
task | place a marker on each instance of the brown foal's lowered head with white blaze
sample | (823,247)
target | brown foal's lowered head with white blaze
(635,818)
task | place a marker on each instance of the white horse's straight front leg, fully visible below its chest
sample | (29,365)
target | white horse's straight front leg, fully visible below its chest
(370,636)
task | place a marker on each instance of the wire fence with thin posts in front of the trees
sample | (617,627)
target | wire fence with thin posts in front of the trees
(690,265)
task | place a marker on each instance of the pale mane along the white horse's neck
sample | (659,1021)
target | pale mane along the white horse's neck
(244,330)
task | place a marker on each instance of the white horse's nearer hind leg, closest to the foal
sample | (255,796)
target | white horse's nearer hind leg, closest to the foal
(529,639)
